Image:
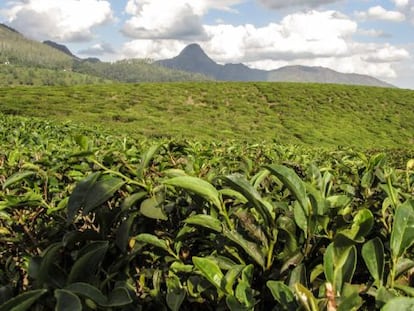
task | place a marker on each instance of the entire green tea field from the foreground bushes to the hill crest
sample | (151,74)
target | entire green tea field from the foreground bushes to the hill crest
(145,197)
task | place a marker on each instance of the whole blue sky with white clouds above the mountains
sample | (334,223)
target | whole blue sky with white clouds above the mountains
(365,36)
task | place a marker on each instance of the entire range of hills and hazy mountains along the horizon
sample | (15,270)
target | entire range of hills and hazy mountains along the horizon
(191,64)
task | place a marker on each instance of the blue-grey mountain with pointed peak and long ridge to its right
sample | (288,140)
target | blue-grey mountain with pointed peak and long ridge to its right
(192,58)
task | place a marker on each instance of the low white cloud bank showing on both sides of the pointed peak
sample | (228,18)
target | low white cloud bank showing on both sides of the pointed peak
(314,38)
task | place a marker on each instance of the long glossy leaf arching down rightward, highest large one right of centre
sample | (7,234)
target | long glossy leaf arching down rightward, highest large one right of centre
(292,181)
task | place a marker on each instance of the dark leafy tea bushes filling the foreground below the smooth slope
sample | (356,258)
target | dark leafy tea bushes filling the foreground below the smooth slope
(95,221)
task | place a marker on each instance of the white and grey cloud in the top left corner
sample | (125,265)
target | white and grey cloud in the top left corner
(61,20)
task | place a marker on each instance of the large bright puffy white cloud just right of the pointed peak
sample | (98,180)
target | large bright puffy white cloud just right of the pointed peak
(311,34)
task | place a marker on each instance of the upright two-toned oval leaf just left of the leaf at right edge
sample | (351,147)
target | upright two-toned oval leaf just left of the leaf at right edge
(373,255)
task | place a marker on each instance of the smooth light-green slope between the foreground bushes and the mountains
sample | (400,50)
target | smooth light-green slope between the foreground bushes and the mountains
(288,113)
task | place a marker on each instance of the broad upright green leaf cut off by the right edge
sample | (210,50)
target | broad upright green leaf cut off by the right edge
(402,234)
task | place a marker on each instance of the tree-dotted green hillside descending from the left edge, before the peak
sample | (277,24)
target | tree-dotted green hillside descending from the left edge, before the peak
(19,52)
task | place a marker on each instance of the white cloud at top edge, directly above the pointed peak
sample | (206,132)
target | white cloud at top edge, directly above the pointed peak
(178,19)
